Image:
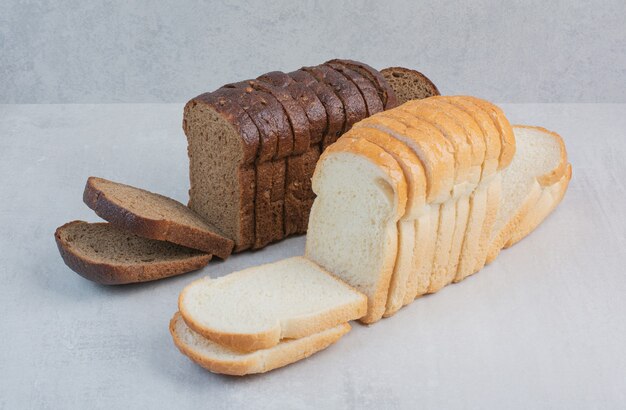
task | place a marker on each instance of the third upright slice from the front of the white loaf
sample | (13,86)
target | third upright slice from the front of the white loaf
(436,154)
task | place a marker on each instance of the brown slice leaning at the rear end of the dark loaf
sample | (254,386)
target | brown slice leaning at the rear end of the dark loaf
(409,84)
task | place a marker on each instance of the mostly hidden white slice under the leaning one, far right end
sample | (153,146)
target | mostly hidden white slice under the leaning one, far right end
(550,197)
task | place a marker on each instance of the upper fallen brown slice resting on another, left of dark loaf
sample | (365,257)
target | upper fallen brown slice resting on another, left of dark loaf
(153,216)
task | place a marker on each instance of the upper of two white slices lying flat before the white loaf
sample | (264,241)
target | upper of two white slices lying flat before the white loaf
(257,307)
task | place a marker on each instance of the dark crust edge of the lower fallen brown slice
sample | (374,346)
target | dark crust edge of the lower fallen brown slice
(111,274)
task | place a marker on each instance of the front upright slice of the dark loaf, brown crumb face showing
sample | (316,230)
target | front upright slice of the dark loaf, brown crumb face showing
(222,147)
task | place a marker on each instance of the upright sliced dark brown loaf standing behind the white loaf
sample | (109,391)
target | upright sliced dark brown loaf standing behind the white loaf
(253,145)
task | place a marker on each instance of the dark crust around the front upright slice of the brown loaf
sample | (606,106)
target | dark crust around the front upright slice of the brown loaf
(223,101)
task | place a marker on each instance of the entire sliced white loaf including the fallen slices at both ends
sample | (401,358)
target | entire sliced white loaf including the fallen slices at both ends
(408,201)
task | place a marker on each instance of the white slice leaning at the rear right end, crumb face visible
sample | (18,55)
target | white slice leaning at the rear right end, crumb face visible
(540,161)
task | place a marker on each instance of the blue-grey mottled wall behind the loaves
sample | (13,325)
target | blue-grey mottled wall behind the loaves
(74,51)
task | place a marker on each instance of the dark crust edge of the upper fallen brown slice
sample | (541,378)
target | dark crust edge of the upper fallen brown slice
(208,240)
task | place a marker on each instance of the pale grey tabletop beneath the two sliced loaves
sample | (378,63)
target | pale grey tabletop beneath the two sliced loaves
(542,327)
